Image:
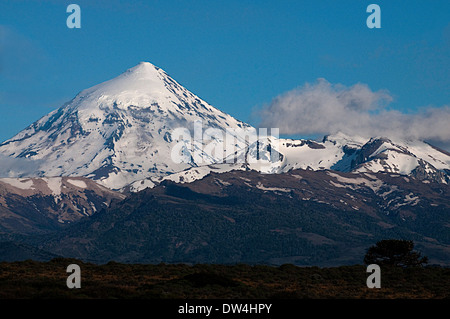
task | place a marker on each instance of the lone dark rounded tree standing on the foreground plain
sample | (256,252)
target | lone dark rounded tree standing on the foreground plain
(394,252)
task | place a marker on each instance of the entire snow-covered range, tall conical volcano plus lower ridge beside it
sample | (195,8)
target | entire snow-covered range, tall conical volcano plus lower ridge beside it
(143,127)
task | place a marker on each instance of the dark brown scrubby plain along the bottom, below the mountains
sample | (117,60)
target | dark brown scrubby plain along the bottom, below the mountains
(31,279)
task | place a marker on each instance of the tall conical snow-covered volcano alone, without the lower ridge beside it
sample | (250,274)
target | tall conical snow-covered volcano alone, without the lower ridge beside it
(121,130)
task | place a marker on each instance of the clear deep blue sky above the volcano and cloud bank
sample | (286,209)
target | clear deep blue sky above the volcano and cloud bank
(236,55)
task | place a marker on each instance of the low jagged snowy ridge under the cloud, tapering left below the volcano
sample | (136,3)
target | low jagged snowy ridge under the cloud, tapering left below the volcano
(338,152)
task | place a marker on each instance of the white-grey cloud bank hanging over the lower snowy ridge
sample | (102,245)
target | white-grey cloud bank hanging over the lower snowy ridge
(325,108)
